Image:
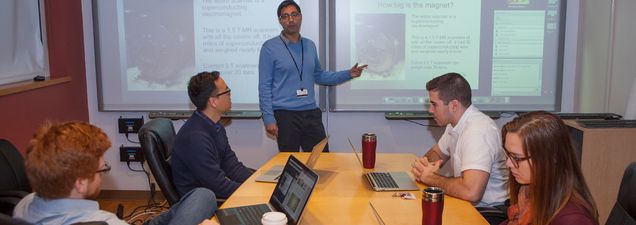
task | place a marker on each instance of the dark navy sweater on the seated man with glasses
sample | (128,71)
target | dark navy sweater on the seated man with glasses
(202,157)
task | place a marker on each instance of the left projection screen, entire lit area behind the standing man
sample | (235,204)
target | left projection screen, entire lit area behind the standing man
(149,49)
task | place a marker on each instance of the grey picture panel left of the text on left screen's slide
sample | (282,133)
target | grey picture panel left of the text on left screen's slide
(159,43)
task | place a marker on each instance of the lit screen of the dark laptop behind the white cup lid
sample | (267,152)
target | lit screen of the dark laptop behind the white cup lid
(293,189)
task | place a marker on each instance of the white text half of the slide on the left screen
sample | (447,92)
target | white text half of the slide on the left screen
(229,38)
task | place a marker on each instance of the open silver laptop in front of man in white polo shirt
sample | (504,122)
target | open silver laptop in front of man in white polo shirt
(387,181)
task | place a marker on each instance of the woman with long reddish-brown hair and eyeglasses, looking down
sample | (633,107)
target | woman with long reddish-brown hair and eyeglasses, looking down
(548,186)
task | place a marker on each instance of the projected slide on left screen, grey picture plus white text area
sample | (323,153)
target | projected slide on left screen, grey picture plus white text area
(165,51)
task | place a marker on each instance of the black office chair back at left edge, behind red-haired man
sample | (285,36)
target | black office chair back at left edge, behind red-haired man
(13,181)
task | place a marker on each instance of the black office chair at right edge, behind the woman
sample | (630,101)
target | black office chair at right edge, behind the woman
(624,211)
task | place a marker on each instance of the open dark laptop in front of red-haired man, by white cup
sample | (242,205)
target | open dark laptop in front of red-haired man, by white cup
(290,196)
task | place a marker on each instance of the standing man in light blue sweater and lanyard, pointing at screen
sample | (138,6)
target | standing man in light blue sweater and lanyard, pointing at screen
(288,69)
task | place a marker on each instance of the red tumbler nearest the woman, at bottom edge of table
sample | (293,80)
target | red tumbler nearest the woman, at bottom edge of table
(432,206)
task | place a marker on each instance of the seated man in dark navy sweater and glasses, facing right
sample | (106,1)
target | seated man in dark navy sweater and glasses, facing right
(202,156)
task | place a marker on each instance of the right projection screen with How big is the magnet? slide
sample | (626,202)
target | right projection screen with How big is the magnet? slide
(507,50)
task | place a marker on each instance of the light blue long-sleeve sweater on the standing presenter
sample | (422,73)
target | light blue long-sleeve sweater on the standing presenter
(279,76)
